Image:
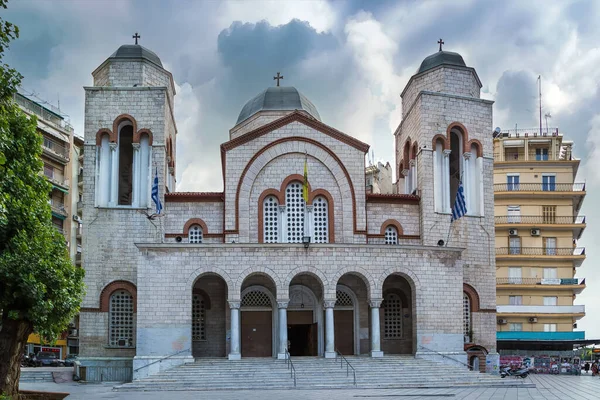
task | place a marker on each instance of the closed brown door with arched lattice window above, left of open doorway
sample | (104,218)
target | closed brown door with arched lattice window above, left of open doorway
(258,322)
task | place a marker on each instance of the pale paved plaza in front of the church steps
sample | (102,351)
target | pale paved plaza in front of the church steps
(549,387)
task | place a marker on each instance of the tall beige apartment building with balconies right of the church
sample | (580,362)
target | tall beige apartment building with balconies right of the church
(537,202)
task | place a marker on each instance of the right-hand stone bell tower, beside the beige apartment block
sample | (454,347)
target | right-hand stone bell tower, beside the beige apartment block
(443,142)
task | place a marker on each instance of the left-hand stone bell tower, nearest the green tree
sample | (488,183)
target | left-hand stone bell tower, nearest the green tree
(129,139)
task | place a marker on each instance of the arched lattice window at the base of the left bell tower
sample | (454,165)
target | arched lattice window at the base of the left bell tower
(120,319)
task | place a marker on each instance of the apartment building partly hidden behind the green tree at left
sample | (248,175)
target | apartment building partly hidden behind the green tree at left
(62,154)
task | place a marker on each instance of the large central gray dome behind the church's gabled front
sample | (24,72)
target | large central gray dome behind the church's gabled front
(278,98)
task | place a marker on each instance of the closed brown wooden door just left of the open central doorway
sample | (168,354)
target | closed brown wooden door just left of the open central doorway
(257,333)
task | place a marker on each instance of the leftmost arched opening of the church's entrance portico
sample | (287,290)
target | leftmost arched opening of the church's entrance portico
(209,316)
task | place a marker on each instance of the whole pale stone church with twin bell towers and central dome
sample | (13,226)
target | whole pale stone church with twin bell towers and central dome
(295,255)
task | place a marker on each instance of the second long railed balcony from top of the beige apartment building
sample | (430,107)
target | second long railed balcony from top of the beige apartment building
(576,223)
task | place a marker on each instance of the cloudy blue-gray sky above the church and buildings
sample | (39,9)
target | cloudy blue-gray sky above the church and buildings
(351,58)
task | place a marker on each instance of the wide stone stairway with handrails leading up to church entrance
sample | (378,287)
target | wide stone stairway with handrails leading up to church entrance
(316,373)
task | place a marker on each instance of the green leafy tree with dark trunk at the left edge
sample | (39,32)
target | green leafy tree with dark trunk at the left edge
(40,289)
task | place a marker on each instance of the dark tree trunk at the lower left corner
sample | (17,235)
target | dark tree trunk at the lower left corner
(13,338)
